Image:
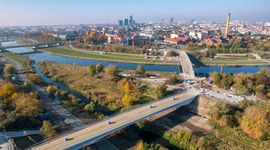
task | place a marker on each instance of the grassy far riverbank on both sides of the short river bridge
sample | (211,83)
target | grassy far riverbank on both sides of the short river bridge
(141,60)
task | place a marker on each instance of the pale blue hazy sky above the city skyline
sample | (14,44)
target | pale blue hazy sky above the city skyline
(53,12)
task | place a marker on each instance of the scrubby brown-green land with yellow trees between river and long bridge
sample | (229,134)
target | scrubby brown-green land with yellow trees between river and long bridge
(103,85)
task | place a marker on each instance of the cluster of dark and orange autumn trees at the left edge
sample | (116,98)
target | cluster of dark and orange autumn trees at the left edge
(20,107)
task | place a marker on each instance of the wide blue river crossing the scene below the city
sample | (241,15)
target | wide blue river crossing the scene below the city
(38,57)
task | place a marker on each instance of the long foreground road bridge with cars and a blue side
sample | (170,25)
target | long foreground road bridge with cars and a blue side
(92,133)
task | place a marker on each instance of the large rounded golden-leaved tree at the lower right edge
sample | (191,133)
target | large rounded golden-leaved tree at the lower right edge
(255,121)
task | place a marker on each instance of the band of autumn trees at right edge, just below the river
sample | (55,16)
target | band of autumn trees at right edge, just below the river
(247,84)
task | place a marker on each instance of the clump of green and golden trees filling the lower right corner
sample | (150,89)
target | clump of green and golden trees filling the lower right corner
(247,124)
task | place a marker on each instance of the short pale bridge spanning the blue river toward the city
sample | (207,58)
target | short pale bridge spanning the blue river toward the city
(187,68)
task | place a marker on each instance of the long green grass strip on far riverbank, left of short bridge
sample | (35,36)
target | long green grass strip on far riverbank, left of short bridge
(92,55)
